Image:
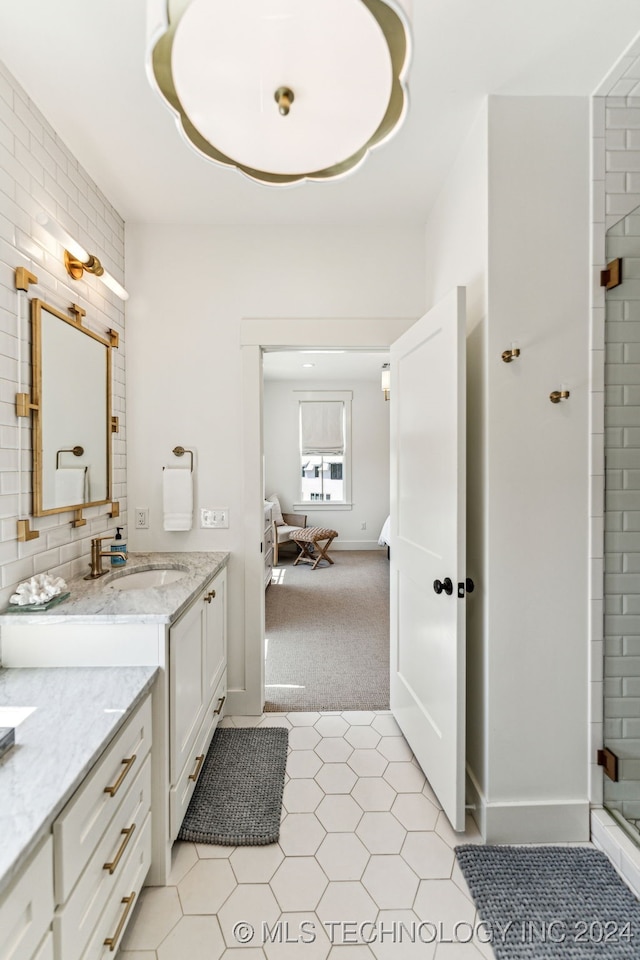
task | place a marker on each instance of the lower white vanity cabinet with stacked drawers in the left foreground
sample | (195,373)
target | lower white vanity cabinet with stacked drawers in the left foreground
(73,898)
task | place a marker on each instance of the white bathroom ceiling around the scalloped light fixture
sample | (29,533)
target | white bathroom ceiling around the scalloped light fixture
(84,66)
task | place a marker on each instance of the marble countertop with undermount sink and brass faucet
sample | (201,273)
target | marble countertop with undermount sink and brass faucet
(97,601)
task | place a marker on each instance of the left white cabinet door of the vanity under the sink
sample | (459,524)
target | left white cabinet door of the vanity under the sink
(187,688)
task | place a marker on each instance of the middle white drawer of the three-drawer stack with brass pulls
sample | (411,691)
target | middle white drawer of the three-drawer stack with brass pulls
(74,923)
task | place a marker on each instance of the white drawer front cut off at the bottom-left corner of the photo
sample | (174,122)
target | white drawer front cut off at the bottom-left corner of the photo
(25,911)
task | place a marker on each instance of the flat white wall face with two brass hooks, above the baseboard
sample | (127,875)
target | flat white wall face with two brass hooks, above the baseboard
(538,451)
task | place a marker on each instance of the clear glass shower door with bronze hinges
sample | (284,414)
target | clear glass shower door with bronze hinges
(622,525)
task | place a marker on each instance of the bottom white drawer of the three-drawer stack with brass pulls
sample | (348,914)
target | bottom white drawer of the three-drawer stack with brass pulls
(118,911)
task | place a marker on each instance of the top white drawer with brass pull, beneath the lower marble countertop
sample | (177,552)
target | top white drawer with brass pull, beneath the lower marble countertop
(78,829)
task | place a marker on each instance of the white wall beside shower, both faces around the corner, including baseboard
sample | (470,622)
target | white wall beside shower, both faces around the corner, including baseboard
(515,217)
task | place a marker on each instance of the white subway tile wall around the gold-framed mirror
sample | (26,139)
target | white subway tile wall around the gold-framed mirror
(38,173)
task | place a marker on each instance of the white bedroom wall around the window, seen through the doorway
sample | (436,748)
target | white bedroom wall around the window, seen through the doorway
(369,464)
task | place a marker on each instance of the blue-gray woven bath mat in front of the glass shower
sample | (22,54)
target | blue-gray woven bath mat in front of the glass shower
(538,903)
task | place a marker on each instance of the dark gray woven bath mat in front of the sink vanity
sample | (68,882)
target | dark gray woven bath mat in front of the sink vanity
(238,796)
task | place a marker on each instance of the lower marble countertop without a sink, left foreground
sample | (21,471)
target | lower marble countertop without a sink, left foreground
(78,710)
